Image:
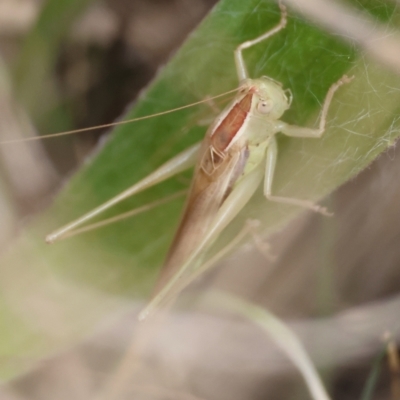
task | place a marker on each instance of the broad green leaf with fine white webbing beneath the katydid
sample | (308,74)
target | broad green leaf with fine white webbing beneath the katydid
(84,278)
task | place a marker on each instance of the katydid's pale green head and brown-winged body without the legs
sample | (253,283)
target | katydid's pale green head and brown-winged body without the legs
(234,145)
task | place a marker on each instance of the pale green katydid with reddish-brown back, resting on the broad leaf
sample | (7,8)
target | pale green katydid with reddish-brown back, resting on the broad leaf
(239,151)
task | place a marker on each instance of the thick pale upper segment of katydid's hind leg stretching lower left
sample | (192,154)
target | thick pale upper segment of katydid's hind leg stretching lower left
(177,164)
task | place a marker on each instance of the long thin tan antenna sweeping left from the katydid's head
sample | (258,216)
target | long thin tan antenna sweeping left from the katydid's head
(109,125)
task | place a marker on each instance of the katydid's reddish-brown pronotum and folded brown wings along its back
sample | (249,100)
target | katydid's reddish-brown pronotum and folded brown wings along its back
(220,164)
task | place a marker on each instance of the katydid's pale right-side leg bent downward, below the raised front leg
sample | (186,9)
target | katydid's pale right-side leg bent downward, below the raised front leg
(272,153)
